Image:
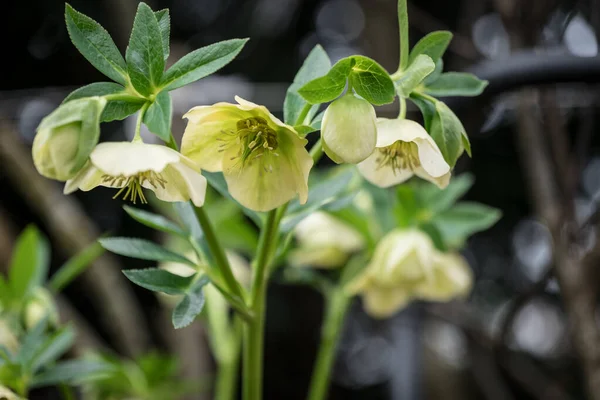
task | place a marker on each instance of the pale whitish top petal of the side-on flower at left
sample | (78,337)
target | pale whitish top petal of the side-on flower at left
(128,159)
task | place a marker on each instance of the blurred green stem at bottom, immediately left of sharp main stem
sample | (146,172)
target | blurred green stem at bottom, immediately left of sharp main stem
(227,370)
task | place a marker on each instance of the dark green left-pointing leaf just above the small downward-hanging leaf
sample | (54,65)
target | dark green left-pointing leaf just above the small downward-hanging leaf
(159,280)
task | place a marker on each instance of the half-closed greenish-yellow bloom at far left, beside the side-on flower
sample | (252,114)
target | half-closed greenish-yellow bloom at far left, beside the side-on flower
(66,137)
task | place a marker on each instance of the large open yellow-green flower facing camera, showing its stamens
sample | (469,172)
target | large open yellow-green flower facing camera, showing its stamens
(264,161)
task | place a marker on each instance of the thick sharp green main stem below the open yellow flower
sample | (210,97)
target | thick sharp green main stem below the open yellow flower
(254,331)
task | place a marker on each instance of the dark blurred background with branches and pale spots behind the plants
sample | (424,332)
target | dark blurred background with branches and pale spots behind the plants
(535,157)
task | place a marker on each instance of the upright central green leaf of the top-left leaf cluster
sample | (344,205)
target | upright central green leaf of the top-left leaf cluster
(144,55)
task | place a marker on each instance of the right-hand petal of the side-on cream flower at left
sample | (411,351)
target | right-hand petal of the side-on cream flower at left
(182,184)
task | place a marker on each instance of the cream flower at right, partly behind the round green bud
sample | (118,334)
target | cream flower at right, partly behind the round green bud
(404,148)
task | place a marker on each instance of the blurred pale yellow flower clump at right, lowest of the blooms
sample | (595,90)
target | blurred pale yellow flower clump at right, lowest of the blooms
(406,266)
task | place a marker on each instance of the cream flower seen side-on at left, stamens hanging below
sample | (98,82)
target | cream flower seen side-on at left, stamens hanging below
(133,166)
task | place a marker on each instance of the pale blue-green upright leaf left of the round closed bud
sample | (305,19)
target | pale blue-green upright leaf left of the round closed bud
(317,64)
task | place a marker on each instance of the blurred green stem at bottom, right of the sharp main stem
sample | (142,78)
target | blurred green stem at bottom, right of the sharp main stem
(336,306)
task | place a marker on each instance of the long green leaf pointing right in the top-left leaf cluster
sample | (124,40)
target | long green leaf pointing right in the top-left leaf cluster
(202,62)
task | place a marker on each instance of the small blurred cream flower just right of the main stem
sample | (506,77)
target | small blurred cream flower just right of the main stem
(324,242)
